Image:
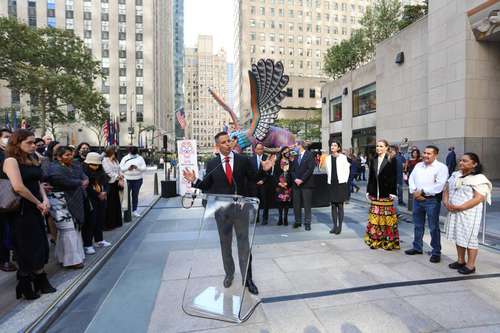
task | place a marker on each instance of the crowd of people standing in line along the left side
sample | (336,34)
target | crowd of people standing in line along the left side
(70,193)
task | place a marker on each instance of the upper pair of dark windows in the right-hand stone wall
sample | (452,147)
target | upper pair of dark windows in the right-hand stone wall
(364,101)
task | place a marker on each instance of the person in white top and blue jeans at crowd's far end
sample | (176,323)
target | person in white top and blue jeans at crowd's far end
(133,167)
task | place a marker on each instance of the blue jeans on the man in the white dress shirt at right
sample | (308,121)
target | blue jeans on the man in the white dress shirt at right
(430,208)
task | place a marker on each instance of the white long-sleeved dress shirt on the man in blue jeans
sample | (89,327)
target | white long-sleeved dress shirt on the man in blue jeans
(428,178)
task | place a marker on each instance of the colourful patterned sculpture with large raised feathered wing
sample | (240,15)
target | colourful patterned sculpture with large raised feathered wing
(267,83)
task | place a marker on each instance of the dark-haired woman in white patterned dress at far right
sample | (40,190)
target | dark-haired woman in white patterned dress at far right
(464,196)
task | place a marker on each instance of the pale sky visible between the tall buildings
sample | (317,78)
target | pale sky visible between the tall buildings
(210,17)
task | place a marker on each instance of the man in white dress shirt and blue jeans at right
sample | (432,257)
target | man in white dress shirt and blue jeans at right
(426,183)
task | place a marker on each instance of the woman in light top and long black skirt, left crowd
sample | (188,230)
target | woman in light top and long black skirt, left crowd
(111,166)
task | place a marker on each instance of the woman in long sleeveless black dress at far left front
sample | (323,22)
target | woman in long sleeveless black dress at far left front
(30,239)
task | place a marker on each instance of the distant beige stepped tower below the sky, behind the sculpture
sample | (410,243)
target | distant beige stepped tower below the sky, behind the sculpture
(203,70)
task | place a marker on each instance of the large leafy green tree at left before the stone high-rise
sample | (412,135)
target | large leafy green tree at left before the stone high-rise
(53,66)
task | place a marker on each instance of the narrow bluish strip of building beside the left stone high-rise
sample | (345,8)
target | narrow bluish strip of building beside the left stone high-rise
(178,21)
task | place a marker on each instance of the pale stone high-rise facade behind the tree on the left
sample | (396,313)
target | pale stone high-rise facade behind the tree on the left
(133,41)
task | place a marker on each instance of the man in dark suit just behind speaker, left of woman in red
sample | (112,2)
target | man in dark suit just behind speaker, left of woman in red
(263,184)
